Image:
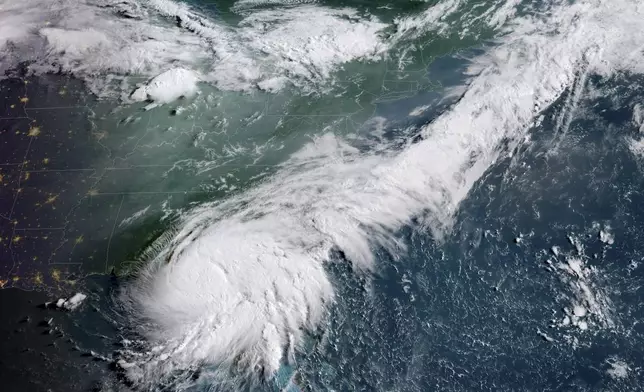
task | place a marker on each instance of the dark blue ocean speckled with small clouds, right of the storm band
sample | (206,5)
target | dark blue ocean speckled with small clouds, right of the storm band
(464,315)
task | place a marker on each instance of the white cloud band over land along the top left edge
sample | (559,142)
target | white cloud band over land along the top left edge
(103,41)
